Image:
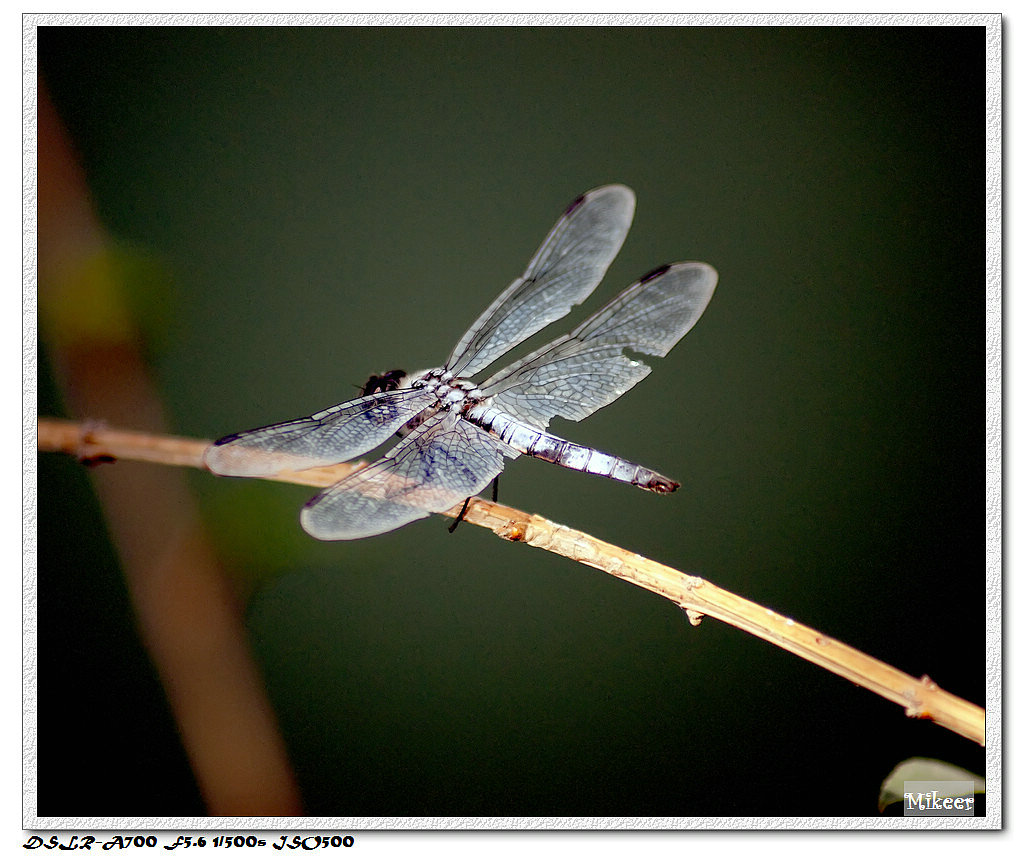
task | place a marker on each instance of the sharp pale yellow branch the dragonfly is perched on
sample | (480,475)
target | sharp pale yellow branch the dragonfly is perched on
(919,697)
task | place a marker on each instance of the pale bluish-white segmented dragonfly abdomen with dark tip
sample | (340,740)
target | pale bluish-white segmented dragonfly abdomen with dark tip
(554,450)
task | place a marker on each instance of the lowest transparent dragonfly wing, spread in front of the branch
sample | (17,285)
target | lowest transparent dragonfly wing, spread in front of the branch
(438,466)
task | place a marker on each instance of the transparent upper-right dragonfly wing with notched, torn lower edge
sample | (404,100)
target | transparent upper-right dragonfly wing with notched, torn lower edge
(587,369)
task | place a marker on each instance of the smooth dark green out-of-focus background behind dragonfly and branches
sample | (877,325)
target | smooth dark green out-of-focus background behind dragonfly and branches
(328,203)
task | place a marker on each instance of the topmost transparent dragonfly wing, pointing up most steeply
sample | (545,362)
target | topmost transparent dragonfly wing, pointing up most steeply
(564,273)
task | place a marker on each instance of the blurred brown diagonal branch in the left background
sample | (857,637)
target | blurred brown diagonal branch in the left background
(189,616)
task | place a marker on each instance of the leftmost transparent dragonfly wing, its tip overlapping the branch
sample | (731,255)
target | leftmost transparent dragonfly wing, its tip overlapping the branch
(339,434)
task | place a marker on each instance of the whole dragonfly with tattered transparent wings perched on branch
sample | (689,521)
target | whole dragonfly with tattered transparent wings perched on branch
(455,436)
